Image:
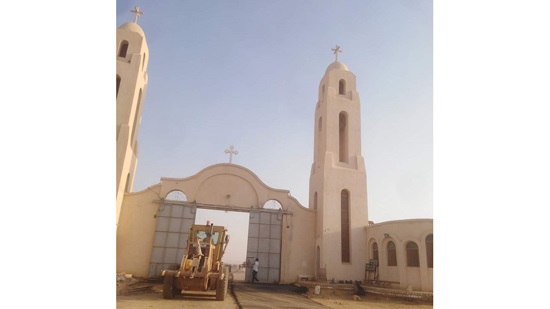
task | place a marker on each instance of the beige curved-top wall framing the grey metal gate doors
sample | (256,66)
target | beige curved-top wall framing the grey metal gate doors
(211,186)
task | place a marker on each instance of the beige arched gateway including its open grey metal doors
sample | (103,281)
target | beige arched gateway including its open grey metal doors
(156,222)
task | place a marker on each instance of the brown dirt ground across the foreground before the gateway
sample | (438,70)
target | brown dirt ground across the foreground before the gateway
(136,294)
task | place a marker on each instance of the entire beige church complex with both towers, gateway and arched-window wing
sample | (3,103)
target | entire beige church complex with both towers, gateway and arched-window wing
(332,238)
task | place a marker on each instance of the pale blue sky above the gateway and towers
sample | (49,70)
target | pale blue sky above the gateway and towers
(247,73)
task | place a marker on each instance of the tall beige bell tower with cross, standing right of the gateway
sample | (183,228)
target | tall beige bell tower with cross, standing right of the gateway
(338,185)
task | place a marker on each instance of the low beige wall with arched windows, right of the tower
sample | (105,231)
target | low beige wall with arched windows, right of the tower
(401,232)
